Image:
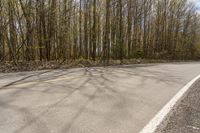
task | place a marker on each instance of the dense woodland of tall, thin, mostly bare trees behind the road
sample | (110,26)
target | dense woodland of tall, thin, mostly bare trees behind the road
(46,30)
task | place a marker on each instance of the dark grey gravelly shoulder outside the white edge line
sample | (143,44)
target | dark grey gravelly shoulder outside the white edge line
(185,116)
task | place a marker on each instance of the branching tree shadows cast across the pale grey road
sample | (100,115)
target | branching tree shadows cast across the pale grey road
(100,79)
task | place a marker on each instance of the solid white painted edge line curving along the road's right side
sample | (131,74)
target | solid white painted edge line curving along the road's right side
(160,116)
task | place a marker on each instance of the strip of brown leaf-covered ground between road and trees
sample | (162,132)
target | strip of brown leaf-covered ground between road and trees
(41,65)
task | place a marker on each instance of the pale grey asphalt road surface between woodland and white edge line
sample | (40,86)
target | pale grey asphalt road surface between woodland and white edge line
(119,99)
